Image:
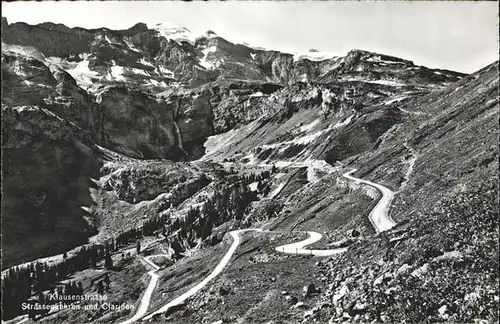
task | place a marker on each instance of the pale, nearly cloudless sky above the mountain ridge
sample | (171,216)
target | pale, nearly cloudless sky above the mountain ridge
(459,36)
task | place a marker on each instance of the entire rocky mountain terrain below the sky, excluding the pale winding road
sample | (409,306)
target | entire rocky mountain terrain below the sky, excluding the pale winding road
(156,136)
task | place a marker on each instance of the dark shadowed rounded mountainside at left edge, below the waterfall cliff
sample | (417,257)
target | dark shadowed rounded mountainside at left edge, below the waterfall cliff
(47,163)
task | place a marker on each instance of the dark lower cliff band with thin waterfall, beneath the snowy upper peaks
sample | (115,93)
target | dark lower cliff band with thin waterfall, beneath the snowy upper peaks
(118,116)
